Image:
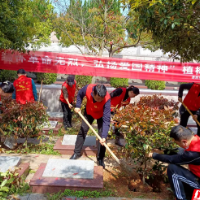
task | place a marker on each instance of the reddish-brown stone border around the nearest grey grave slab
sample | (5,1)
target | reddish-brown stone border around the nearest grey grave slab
(45,185)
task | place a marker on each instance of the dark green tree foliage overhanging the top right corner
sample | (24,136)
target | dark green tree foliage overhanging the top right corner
(174,25)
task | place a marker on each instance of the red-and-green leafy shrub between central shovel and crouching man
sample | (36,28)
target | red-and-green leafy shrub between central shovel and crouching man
(149,126)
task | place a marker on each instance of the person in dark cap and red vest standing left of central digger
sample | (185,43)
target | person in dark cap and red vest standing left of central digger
(67,97)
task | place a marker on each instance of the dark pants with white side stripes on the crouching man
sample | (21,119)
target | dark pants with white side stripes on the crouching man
(182,181)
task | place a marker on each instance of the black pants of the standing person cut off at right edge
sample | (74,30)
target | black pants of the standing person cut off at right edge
(185,116)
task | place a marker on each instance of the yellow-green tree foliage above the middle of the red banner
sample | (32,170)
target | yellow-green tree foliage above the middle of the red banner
(95,25)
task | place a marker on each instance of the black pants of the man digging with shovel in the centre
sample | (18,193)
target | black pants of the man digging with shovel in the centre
(82,135)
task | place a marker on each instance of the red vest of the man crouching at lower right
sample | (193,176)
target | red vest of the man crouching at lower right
(195,146)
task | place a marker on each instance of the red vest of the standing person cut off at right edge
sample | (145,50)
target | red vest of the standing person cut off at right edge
(192,100)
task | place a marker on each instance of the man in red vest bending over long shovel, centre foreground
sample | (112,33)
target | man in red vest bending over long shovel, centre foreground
(97,107)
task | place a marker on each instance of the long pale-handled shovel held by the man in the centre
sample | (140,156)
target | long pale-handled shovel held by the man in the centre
(123,165)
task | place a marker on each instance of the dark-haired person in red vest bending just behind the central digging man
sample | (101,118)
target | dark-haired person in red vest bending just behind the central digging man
(121,97)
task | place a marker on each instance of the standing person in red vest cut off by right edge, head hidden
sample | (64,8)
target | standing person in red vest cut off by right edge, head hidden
(192,101)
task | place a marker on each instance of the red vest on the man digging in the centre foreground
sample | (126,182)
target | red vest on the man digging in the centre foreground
(95,109)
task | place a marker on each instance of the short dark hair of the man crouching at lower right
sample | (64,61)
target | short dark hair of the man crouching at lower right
(179,133)
